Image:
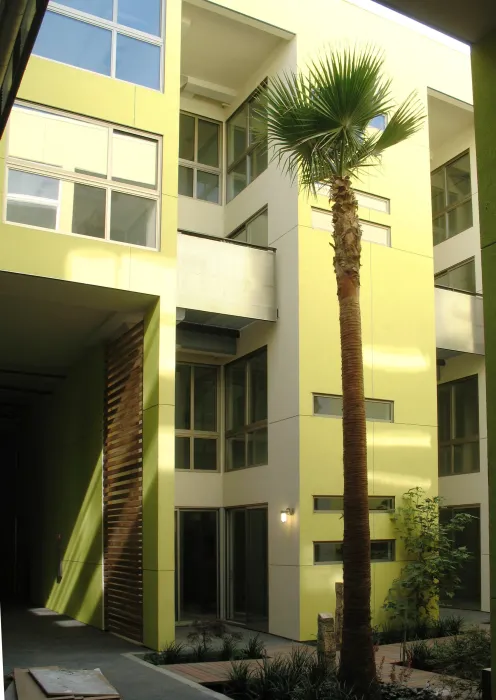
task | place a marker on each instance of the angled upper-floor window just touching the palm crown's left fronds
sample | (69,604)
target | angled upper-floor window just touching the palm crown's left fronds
(246,153)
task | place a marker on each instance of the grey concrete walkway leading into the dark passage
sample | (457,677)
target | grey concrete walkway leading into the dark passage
(43,638)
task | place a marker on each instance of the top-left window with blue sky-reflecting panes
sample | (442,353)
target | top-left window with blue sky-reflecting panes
(125,38)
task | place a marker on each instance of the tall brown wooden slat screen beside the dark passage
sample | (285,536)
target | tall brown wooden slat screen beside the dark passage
(123,495)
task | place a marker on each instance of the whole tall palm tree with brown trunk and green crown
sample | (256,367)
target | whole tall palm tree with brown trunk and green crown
(318,123)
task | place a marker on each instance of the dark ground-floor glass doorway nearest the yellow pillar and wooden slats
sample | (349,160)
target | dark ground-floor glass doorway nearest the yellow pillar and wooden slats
(197,565)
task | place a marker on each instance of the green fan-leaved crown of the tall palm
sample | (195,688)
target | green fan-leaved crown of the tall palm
(318,120)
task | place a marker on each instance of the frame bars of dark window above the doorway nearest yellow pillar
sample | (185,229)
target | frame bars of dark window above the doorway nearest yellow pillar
(192,433)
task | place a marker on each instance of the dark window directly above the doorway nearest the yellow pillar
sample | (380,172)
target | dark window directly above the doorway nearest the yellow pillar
(197,431)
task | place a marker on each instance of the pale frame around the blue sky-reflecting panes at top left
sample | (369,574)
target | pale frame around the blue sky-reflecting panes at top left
(115,28)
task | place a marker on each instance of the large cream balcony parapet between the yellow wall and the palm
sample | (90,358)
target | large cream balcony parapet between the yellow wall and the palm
(227,278)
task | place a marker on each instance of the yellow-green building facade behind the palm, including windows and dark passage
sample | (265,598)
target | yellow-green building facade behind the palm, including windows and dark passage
(133,194)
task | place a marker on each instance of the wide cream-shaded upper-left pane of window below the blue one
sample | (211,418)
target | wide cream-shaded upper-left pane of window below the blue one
(69,144)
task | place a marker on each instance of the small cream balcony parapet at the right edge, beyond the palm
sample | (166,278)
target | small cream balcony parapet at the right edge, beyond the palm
(459,322)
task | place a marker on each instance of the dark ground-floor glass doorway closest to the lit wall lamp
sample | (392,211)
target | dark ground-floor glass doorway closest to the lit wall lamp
(247,554)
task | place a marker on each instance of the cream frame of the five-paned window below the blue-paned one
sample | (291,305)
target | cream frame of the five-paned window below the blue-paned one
(101,182)
